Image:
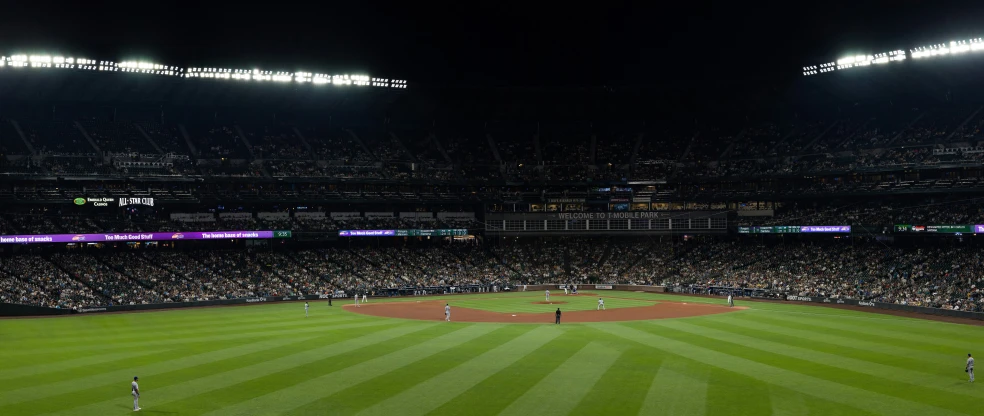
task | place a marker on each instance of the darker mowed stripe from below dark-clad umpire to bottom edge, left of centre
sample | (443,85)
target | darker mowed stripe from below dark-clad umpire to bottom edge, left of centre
(515,380)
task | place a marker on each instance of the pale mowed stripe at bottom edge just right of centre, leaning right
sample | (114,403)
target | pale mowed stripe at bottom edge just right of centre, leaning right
(560,392)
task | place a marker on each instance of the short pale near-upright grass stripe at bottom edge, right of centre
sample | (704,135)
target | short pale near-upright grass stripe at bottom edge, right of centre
(676,389)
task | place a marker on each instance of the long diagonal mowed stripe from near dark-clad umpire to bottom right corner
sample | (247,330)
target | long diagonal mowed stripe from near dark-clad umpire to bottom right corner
(831,391)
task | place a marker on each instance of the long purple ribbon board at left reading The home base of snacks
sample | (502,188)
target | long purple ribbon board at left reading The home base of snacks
(111,237)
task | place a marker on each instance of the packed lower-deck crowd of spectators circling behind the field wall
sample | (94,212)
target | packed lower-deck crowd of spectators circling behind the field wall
(940,277)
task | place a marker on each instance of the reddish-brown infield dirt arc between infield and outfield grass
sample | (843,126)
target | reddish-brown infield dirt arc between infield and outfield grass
(434,311)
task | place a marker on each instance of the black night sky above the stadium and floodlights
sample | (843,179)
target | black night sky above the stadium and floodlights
(458,43)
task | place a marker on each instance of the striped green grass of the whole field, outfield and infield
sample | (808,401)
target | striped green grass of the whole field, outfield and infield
(772,358)
